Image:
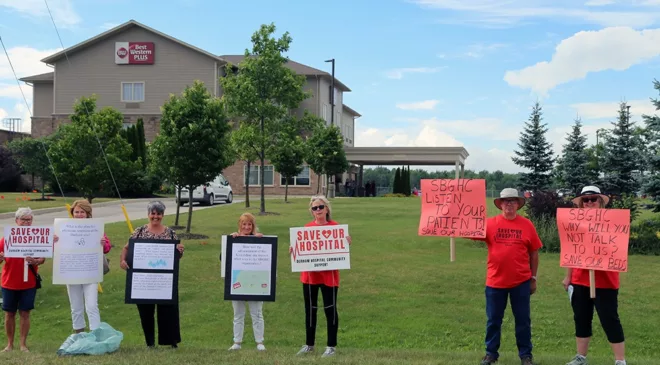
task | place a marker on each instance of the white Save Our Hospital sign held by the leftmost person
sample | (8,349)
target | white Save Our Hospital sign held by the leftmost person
(29,241)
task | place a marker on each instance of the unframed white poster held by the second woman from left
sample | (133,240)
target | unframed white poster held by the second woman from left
(78,254)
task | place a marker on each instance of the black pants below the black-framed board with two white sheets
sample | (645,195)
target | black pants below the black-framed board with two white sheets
(168,323)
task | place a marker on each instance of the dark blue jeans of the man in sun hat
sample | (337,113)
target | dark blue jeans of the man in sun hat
(496,300)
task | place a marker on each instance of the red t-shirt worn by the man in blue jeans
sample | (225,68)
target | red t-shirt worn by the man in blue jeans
(509,244)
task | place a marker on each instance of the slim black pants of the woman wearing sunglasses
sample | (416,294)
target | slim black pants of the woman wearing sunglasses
(311,295)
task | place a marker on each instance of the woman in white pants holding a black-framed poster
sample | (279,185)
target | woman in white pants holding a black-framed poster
(247,226)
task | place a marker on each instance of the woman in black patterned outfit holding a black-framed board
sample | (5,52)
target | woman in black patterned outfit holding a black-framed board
(169,333)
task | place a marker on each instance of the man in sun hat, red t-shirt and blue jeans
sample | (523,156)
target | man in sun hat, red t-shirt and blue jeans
(513,261)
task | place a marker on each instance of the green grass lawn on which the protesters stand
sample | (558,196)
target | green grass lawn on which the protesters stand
(403,301)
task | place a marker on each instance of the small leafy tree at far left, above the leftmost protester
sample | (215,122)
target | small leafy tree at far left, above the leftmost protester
(31,155)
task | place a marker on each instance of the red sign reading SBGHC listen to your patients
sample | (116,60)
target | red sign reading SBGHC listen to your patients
(453,208)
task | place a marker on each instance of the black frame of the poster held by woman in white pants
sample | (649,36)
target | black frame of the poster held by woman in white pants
(265,240)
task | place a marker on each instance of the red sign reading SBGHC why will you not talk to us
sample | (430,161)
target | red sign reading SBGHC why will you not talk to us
(594,239)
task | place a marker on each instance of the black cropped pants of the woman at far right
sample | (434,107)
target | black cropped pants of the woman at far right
(606,303)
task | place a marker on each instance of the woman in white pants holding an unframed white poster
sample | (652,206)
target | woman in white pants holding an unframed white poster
(85,296)
